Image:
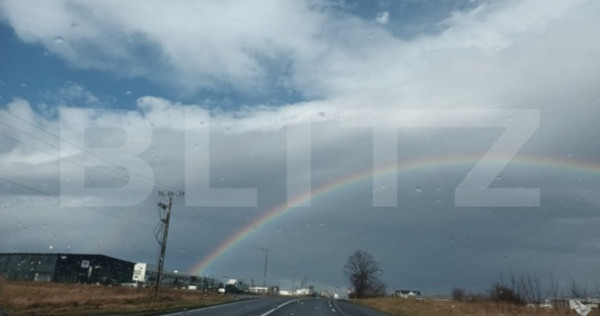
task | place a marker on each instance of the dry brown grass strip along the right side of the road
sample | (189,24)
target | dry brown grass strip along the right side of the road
(430,307)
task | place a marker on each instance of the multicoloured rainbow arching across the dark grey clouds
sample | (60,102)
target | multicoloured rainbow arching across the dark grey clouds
(368,174)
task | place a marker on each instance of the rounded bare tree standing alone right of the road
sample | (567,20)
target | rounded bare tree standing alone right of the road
(363,272)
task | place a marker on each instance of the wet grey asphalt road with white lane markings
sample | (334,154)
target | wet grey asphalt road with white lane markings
(284,306)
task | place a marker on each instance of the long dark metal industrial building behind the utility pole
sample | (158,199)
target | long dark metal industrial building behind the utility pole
(65,268)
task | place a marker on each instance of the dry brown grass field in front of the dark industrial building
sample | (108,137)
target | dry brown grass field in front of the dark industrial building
(28,298)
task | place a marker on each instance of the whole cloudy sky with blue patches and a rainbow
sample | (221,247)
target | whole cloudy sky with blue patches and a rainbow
(455,141)
